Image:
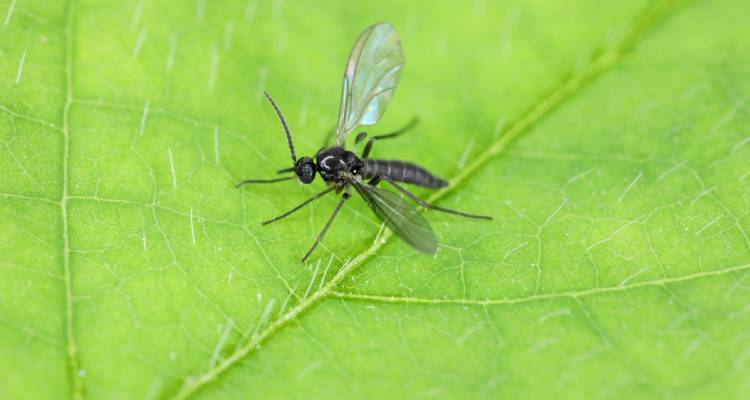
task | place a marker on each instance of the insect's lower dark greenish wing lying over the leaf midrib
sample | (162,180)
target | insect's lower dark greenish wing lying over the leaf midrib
(400,216)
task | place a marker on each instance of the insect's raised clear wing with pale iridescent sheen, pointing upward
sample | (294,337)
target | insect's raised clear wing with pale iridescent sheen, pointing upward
(370,78)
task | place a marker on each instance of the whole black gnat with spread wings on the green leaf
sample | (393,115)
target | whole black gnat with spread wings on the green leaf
(371,76)
